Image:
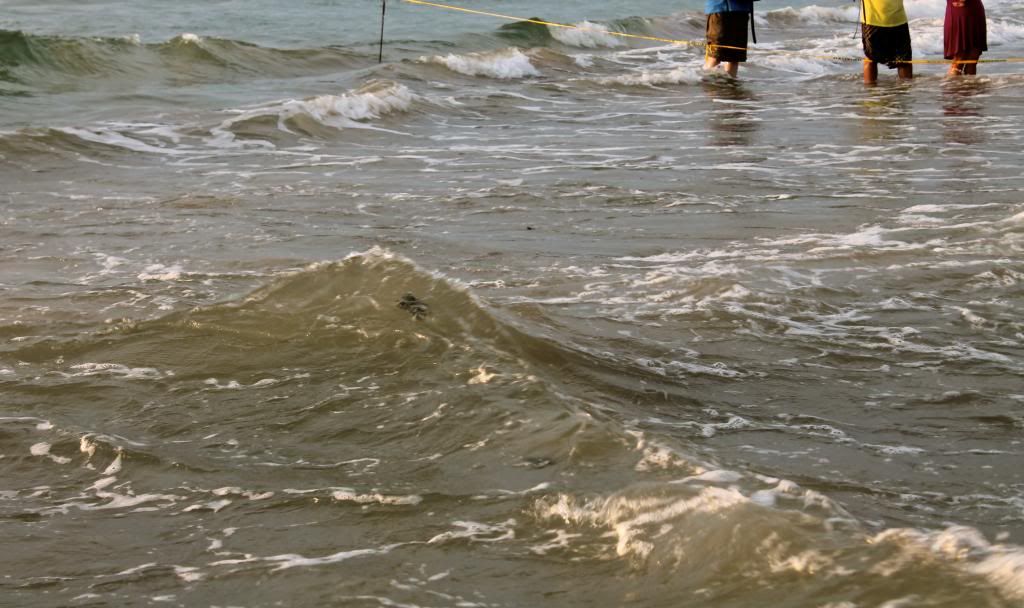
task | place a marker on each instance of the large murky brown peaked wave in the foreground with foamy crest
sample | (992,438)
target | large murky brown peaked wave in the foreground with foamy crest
(376,387)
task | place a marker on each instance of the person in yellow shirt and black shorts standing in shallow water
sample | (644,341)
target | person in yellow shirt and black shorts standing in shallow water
(886,36)
